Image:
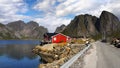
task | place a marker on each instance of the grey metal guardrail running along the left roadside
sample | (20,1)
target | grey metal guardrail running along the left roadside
(74,58)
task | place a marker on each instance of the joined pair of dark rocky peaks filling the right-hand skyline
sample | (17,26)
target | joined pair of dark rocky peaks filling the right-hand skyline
(91,26)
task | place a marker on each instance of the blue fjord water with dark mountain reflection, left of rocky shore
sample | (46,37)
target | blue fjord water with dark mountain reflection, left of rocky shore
(18,54)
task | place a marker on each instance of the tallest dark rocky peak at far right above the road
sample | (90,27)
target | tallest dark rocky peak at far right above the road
(109,23)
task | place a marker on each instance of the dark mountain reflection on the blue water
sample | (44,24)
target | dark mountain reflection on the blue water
(17,51)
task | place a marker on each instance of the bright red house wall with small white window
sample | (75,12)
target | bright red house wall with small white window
(59,38)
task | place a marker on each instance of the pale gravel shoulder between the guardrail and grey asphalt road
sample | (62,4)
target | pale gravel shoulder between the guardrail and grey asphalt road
(88,60)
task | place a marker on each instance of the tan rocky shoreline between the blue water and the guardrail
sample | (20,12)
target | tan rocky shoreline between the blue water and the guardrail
(57,54)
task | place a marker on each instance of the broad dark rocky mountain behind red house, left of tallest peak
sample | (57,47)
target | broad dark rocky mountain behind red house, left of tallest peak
(82,25)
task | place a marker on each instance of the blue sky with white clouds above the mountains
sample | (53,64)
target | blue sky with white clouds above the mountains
(53,13)
